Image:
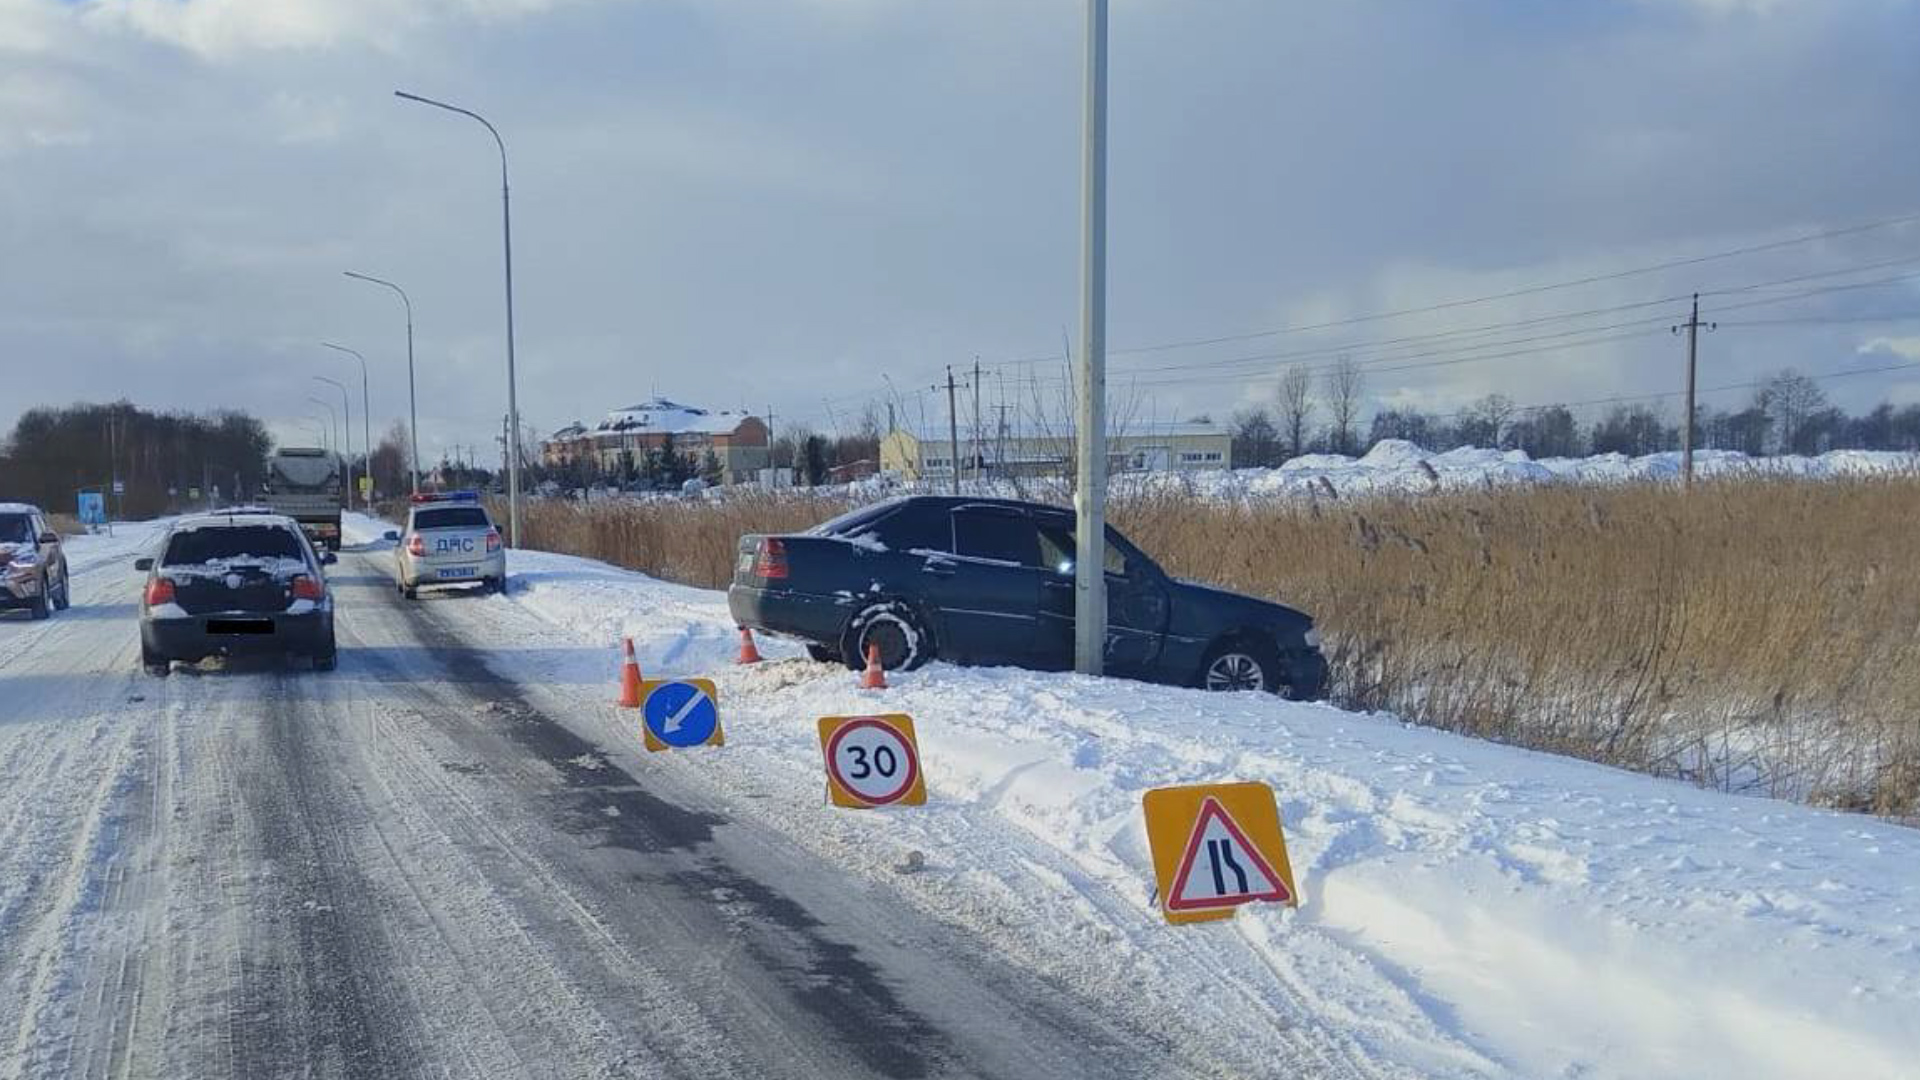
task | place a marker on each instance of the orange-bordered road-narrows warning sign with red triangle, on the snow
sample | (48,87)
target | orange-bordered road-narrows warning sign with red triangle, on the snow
(1216,847)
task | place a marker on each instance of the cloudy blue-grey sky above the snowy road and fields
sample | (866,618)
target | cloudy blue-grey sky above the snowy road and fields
(819,205)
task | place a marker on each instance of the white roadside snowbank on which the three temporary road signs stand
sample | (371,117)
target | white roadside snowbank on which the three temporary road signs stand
(1470,910)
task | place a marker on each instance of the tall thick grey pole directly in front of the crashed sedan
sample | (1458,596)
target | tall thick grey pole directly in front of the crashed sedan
(1090,487)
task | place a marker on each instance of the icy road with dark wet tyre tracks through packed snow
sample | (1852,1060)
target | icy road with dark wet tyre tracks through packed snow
(412,870)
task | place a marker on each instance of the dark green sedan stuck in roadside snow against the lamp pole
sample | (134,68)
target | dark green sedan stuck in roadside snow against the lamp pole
(992,581)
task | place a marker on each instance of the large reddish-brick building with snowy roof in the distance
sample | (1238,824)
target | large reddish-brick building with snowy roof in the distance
(627,437)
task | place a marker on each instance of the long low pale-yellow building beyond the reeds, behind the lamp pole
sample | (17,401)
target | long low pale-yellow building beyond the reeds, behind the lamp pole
(1159,449)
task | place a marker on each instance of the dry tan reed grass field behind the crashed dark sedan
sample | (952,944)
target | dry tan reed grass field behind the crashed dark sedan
(1754,635)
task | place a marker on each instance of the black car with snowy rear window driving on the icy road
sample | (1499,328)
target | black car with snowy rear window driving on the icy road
(235,585)
